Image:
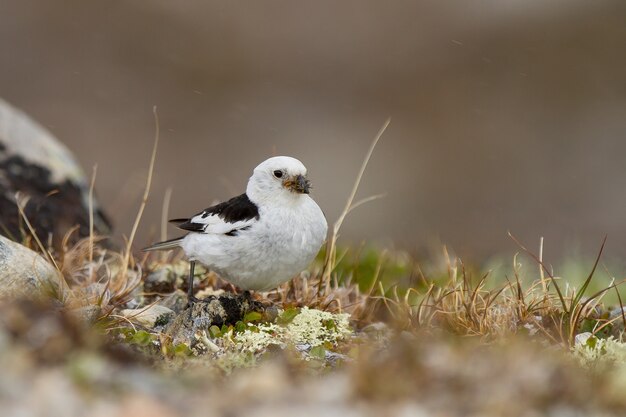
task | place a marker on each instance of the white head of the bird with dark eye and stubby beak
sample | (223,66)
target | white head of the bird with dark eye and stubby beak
(278,176)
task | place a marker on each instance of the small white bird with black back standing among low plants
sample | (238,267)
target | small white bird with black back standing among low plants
(261,238)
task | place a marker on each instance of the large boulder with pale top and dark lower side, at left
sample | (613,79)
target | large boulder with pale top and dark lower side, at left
(35,163)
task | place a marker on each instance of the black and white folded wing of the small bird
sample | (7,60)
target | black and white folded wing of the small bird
(224,218)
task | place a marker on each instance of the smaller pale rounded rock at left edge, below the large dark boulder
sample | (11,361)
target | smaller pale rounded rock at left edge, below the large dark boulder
(23,272)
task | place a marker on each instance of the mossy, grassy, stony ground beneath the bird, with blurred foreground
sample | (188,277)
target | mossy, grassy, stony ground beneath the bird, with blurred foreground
(373,335)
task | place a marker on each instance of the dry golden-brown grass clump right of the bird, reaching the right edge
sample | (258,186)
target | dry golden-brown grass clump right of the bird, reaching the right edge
(476,307)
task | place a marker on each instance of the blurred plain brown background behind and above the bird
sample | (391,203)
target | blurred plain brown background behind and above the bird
(506,114)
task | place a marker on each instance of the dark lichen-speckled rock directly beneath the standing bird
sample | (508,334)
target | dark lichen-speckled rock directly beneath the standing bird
(217,311)
